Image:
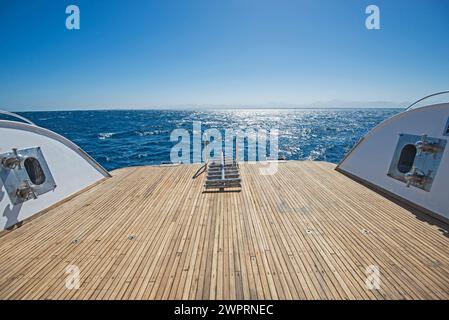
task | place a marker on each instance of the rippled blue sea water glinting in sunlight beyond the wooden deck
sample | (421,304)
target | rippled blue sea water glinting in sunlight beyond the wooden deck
(122,138)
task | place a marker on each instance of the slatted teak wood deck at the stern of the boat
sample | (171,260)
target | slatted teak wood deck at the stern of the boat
(306,232)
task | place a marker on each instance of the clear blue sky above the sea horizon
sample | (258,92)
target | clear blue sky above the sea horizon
(146,54)
